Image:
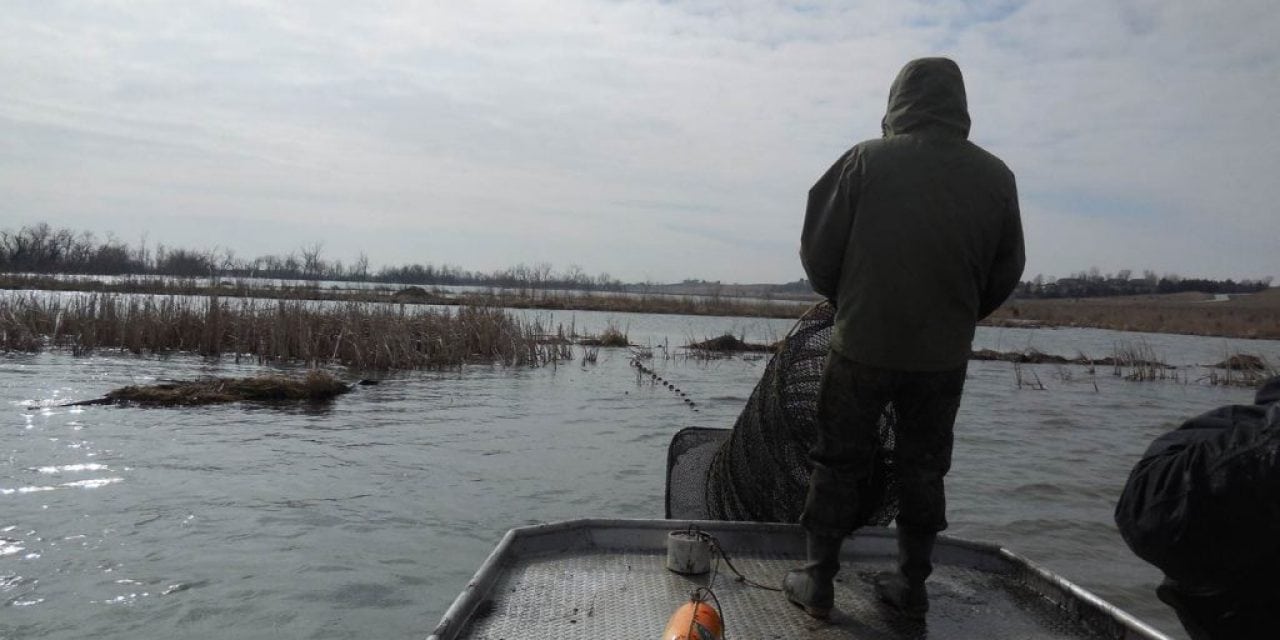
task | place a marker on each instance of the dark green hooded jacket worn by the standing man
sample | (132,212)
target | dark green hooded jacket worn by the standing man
(915,236)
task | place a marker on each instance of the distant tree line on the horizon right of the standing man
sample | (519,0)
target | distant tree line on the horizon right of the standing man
(1095,284)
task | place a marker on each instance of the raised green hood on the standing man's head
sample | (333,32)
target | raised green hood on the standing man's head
(929,94)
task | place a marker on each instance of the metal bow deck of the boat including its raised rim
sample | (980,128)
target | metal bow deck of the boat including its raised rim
(609,579)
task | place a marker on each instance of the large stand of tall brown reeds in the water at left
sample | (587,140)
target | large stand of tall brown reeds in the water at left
(360,336)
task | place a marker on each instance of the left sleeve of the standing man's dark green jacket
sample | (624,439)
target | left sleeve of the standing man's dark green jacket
(828,223)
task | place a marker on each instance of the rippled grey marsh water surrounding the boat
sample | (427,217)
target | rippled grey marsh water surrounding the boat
(365,518)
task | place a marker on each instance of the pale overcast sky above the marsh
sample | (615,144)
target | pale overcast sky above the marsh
(651,140)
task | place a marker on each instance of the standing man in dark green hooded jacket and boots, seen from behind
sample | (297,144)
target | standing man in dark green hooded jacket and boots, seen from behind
(915,237)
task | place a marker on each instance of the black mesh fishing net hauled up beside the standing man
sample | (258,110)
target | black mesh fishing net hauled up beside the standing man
(760,470)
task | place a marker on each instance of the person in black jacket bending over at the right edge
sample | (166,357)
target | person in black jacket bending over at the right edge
(1204,506)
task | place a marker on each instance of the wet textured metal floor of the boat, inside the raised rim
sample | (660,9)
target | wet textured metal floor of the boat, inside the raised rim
(614,595)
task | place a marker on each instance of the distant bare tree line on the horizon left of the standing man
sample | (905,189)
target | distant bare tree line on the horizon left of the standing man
(42,249)
